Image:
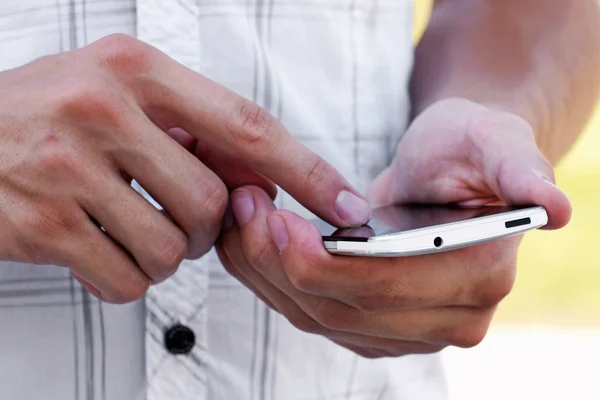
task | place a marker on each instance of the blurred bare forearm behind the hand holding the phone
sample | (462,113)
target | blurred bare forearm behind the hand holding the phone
(538,59)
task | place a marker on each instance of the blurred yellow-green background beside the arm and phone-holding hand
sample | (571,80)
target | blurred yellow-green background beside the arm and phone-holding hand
(558,279)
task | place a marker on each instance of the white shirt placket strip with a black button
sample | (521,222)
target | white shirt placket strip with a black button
(176,319)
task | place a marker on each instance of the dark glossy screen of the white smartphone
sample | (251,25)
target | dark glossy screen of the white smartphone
(396,218)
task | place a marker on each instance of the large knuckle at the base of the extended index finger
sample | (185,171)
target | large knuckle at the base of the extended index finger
(124,55)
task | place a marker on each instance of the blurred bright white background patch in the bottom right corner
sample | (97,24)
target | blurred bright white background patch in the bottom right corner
(527,362)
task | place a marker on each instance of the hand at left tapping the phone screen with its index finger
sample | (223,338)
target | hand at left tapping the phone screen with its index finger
(75,128)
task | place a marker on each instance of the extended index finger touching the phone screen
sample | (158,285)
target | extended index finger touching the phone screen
(238,128)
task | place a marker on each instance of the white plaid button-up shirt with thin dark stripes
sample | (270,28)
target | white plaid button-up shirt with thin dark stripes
(335,72)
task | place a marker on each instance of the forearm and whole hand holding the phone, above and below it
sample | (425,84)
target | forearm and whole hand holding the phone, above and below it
(500,91)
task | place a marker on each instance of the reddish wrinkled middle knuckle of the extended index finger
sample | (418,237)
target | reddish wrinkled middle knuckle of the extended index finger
(254,127)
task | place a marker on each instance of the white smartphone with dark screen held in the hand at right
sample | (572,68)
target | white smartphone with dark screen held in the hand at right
(398,231)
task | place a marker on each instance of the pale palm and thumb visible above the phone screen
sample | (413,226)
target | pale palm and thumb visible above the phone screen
(460,152)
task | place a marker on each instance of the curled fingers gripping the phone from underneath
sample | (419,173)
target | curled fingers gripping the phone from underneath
(377,307)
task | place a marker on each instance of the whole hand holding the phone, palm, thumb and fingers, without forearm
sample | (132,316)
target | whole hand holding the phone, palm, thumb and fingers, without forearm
(455,152)
